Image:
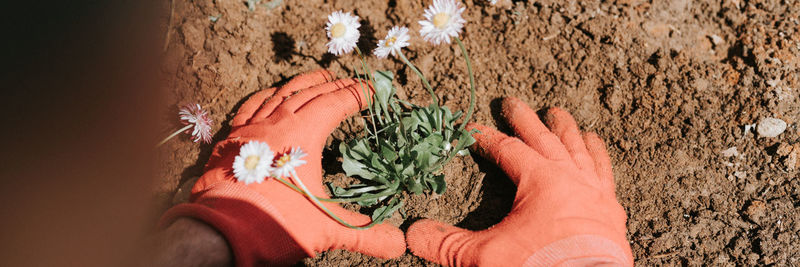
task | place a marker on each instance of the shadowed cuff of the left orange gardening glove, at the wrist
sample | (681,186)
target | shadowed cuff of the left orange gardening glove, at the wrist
(252,227)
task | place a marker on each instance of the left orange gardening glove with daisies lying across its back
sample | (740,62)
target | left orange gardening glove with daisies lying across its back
(268,223)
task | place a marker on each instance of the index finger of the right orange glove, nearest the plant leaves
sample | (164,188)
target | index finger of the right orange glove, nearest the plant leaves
(511,154)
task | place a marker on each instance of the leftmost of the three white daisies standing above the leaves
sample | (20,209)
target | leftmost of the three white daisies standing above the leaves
(342,29)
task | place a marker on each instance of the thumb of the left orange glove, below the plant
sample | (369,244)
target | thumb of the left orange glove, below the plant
(383,240)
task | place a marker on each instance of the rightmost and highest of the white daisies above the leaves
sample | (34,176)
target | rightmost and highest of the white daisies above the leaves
(442,22)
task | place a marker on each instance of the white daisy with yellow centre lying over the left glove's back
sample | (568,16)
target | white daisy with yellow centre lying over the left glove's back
(254,162)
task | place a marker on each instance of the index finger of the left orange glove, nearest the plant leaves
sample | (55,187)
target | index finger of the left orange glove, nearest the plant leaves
(326,111)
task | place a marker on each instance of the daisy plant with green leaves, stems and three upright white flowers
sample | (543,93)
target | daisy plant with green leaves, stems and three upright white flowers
(404,146)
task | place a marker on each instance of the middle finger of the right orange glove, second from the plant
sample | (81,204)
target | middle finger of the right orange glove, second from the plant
(531,130)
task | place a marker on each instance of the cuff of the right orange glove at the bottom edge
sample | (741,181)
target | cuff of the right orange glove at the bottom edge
(580,250)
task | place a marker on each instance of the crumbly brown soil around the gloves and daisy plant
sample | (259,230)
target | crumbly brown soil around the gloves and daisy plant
(667,84)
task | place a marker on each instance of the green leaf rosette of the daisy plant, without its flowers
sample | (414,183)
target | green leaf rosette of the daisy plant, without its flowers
(404,149)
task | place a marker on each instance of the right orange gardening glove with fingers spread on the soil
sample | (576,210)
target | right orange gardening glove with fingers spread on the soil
(565,211)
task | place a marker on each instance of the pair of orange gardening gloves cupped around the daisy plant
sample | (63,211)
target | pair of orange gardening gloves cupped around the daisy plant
(565,211)
